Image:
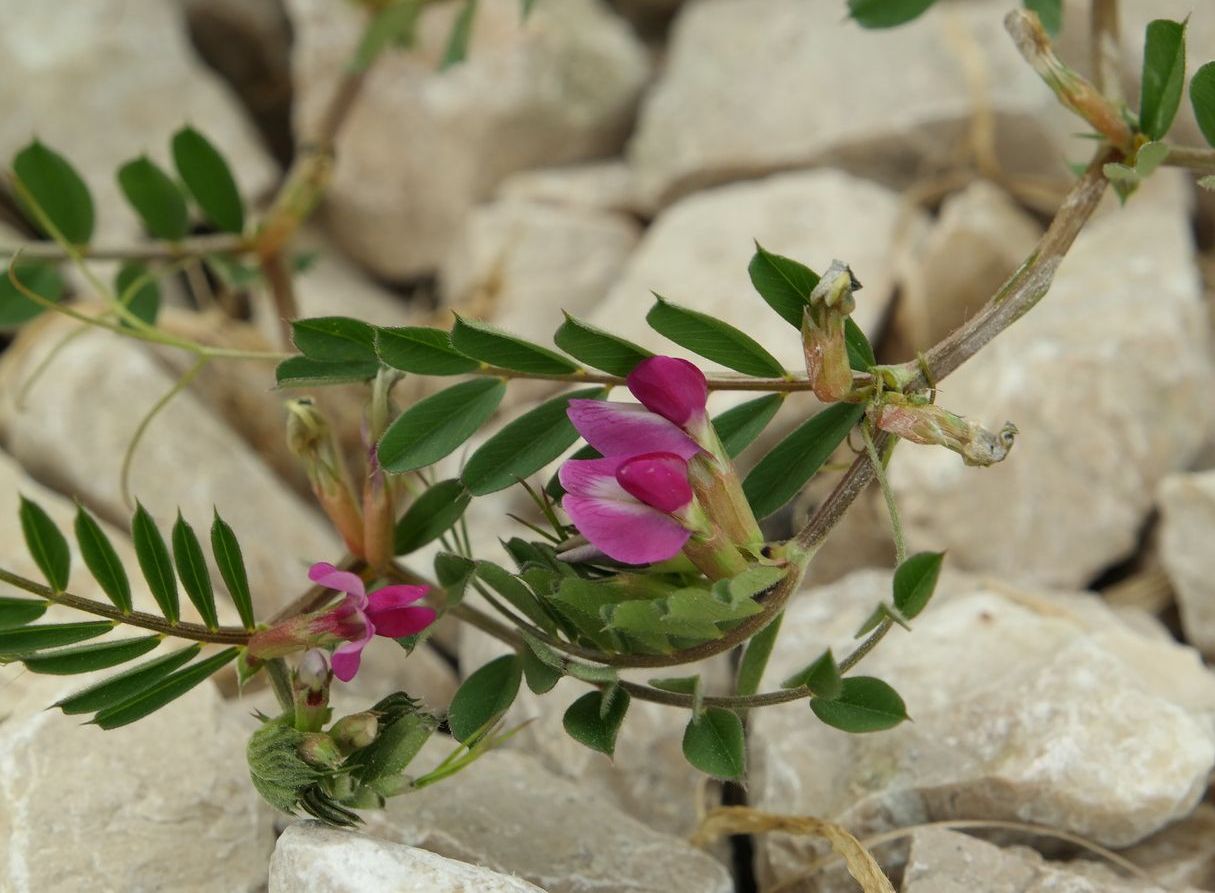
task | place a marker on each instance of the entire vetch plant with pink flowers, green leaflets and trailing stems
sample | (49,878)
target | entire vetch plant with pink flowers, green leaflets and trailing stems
(647,547)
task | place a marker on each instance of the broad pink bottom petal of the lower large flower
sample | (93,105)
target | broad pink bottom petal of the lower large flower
(626,530)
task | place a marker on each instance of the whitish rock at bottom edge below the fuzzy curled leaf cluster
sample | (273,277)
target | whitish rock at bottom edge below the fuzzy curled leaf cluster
(321,860)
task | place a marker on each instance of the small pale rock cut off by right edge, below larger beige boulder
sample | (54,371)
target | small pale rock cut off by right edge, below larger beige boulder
(1188,523)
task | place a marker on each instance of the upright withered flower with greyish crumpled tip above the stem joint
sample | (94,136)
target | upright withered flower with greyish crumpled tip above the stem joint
(823,334)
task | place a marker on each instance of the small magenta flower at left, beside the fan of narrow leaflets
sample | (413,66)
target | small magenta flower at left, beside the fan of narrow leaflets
(388,612)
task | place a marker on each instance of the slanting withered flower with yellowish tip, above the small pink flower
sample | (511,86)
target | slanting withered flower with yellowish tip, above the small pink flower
(312,440)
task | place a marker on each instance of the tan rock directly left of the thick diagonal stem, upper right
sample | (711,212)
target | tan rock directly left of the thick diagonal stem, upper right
(977,242)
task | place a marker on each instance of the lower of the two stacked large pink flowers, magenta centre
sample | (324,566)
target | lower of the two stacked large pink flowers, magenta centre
(634,508)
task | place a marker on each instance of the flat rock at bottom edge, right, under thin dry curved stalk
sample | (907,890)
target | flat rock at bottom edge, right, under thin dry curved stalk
(948,862)
